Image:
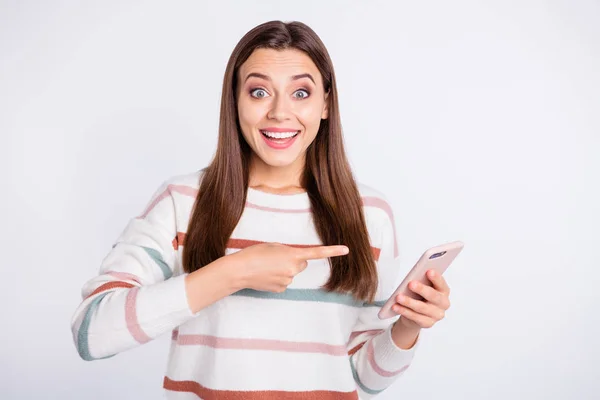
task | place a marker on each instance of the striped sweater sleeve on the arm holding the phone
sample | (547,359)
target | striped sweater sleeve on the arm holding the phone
(376,361)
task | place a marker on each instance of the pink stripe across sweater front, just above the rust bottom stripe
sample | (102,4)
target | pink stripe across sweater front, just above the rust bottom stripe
(261,344)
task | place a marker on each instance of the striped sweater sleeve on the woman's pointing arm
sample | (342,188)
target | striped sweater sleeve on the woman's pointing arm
(135,297)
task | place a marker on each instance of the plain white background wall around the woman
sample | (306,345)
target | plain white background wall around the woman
(479,119)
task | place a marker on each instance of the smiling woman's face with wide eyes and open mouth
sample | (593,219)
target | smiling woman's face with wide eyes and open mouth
(281,102)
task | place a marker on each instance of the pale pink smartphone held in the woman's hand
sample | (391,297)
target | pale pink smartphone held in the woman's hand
(437,258)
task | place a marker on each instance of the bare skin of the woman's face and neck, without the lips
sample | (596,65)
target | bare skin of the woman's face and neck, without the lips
(278,100)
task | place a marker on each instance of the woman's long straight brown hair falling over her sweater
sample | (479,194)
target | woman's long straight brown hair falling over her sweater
(336,204)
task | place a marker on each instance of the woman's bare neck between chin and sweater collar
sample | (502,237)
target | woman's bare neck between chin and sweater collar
(276,179)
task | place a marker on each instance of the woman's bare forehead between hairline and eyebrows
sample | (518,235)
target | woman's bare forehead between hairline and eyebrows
(279,64)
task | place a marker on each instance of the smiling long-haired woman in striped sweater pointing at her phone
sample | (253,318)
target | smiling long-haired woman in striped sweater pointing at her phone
(269,266)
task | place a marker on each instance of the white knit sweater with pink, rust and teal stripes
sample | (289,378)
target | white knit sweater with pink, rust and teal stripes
(304,343)
